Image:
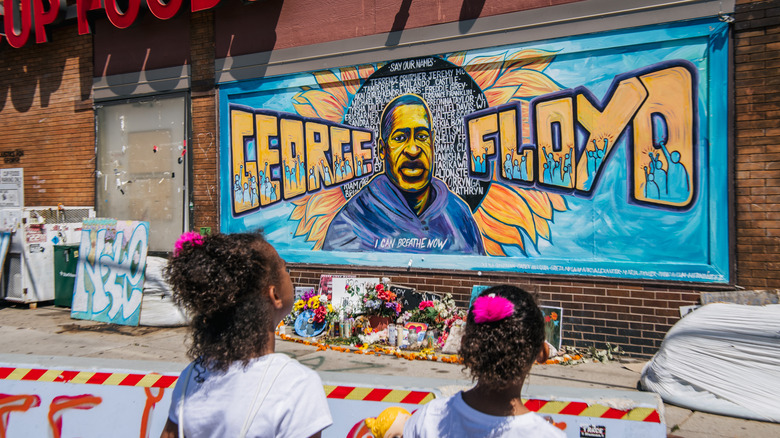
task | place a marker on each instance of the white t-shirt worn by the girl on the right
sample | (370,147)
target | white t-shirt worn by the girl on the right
(452,417)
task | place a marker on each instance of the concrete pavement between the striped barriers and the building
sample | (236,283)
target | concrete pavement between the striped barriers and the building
(49,331)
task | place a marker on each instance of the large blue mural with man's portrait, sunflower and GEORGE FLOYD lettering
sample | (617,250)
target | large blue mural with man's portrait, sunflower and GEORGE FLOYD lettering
(602,154)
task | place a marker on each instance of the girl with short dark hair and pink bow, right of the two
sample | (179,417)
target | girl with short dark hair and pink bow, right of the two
(504,336)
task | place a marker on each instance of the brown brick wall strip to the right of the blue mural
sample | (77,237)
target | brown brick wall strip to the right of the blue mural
(757,143)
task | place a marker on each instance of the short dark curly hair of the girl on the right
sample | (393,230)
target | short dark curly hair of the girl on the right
(501,352)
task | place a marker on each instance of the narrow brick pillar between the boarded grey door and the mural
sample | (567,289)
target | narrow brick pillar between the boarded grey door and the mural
(205,155)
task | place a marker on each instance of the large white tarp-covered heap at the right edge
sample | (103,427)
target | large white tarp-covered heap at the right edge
(723,359)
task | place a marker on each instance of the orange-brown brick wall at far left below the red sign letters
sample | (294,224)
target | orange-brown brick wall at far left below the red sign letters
(46,112)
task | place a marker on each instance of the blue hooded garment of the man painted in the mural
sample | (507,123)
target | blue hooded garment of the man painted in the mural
(378,218)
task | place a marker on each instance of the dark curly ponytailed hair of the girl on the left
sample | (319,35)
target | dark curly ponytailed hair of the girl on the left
(220,284)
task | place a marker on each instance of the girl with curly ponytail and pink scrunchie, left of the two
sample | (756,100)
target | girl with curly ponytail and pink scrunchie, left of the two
(236,289)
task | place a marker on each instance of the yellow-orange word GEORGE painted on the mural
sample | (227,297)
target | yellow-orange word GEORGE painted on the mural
(280,156)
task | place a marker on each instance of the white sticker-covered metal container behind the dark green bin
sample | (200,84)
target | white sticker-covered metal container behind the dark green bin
(28,274)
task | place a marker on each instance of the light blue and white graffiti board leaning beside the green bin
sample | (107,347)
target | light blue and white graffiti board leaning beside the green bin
(110,274)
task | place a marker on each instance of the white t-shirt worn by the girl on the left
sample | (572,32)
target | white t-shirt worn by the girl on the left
(293,400)
